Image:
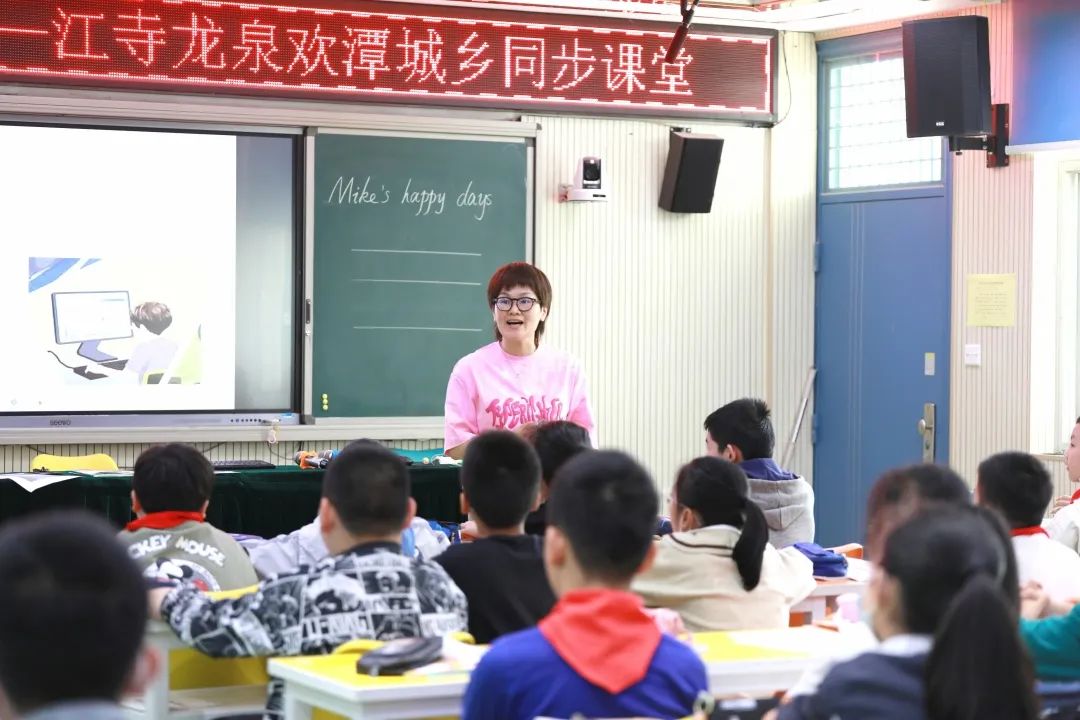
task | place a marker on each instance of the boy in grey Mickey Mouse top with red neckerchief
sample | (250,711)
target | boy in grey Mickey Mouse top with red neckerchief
(171,538)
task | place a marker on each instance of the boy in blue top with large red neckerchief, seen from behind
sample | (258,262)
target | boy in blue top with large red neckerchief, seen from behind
(598,654)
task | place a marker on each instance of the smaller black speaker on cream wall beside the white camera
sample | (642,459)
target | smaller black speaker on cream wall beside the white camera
(691,174)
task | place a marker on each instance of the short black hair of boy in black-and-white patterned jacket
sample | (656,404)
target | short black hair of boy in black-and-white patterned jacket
(369,486)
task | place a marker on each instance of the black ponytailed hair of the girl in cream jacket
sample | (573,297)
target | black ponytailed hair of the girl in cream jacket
(719,493)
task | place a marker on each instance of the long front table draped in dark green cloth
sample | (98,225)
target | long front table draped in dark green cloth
(258,502)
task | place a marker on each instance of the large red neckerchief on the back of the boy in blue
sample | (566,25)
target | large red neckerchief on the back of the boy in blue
(604,635)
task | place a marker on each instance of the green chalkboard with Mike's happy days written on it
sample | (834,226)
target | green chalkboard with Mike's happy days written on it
(408,232)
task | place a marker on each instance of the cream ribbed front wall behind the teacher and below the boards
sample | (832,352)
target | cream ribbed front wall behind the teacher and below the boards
(672,316)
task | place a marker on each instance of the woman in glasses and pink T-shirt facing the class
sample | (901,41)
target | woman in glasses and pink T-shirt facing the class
(514,382)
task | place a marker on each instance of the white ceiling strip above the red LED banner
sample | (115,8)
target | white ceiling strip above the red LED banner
(788,16)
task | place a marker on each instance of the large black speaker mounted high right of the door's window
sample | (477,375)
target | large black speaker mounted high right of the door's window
(948,77)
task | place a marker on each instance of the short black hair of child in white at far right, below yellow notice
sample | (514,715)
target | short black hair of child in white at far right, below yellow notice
(1018,486)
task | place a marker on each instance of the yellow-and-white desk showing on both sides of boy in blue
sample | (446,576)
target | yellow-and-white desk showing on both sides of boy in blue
(752,662)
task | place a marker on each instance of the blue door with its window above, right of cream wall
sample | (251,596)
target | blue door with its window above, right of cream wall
(883,284)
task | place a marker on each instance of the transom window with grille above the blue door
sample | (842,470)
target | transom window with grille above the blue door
(868,144)
